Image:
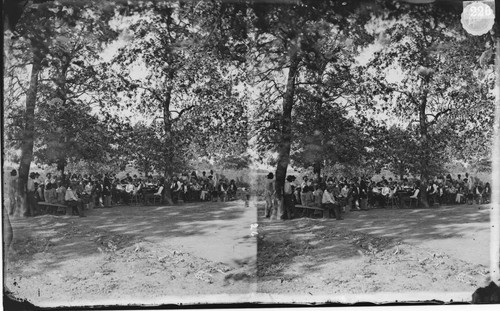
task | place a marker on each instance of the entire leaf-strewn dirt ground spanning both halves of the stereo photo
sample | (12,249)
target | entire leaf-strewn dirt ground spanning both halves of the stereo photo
(210,253)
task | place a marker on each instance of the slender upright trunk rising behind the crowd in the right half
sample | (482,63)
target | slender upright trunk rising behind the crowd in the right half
(424,141)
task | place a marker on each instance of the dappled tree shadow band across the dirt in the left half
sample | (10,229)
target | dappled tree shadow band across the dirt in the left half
(60,239)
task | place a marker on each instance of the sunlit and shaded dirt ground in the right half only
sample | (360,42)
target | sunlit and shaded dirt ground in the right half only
(414,254)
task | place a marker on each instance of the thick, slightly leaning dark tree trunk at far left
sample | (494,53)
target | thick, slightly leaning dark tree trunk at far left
(28,134)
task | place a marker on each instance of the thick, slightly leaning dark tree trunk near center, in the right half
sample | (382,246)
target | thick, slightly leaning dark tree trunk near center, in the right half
(286,132)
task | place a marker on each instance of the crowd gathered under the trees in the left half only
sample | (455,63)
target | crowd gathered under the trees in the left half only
(105,190)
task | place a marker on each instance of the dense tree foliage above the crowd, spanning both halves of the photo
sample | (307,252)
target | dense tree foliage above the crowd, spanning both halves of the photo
(318,84)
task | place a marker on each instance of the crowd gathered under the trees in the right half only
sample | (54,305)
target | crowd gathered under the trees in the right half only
(339,195)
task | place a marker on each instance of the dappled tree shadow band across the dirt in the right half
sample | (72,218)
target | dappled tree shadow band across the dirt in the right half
(283,244)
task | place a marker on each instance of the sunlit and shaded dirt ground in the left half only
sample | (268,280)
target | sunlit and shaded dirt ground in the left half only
(134,254)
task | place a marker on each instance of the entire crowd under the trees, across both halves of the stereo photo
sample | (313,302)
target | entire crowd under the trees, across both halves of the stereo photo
(334,195)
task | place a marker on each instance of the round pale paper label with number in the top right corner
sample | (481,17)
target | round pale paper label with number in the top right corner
(478,18)
